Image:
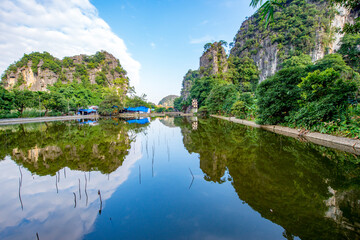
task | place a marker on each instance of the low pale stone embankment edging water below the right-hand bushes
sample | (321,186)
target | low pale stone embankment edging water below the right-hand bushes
(341,143)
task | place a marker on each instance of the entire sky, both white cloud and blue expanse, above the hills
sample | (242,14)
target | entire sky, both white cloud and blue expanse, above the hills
(156,41)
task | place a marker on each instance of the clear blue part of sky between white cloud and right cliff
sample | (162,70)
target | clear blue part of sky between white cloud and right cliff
(167,37)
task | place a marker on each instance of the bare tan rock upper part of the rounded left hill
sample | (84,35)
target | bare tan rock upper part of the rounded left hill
(37,71)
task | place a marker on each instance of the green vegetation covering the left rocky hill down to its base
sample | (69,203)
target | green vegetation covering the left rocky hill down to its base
(72,90)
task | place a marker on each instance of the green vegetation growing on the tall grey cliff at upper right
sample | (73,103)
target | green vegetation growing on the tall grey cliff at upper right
(293,31)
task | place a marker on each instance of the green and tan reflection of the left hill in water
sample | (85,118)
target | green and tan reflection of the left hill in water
(46,148)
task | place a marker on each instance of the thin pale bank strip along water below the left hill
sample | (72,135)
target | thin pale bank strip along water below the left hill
(45,119)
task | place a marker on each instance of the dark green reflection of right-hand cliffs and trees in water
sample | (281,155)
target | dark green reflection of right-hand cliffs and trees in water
(285,180)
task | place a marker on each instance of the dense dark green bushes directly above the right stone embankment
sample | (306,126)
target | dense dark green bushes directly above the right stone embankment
(320,96)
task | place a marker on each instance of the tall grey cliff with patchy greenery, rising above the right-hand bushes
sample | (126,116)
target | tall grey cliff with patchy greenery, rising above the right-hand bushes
(301,27)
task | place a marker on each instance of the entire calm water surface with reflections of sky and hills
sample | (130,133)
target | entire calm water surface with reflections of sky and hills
(172,179)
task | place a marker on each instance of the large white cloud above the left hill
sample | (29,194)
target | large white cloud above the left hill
(62,28)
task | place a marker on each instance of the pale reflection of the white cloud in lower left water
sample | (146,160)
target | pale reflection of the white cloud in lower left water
(48,201)
